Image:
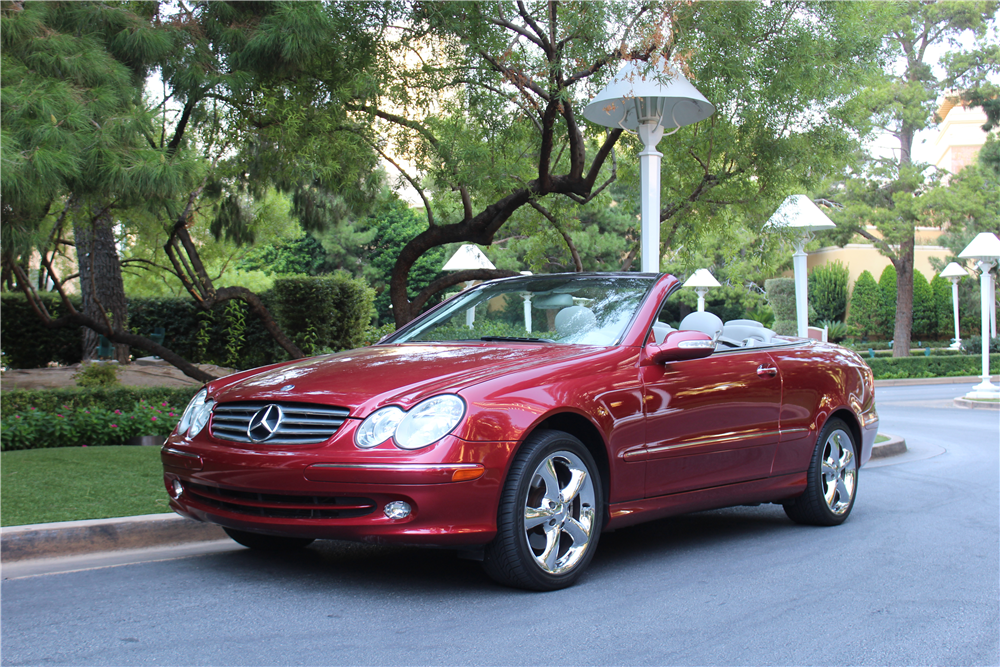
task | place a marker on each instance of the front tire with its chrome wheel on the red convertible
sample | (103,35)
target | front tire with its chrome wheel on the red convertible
(550,516)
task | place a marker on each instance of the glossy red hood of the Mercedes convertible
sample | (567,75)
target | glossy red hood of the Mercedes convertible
(366,379)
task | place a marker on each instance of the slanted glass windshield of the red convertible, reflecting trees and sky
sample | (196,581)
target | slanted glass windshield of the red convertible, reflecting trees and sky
(569,310)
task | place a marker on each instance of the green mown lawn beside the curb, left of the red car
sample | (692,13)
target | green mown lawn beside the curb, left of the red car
(71,483)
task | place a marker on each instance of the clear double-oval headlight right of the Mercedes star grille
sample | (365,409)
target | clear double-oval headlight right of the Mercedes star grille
(423,425)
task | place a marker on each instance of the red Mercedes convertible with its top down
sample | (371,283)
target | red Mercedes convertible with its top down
(521,418)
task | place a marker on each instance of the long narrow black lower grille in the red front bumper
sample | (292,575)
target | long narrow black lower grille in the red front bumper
(279,506)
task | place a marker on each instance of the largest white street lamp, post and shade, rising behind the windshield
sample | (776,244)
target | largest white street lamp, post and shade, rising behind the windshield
(634,102)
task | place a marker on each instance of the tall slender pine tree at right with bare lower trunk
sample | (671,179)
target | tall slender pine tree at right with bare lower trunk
(890,194)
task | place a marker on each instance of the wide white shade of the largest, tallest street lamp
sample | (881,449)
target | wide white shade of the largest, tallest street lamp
(633,98)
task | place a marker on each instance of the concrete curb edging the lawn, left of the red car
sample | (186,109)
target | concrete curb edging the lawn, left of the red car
(72,538)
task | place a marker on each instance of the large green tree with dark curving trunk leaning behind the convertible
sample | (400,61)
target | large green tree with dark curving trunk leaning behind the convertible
(502,82)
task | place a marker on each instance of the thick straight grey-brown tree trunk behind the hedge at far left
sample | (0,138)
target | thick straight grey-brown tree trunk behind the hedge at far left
(101,287)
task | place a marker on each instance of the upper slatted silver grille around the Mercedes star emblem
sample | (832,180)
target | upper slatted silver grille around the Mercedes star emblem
(301,423)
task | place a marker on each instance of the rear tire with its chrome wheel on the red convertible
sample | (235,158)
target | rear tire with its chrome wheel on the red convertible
(832,480)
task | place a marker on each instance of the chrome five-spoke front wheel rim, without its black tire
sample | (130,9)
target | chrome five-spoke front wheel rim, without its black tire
(559,516)
